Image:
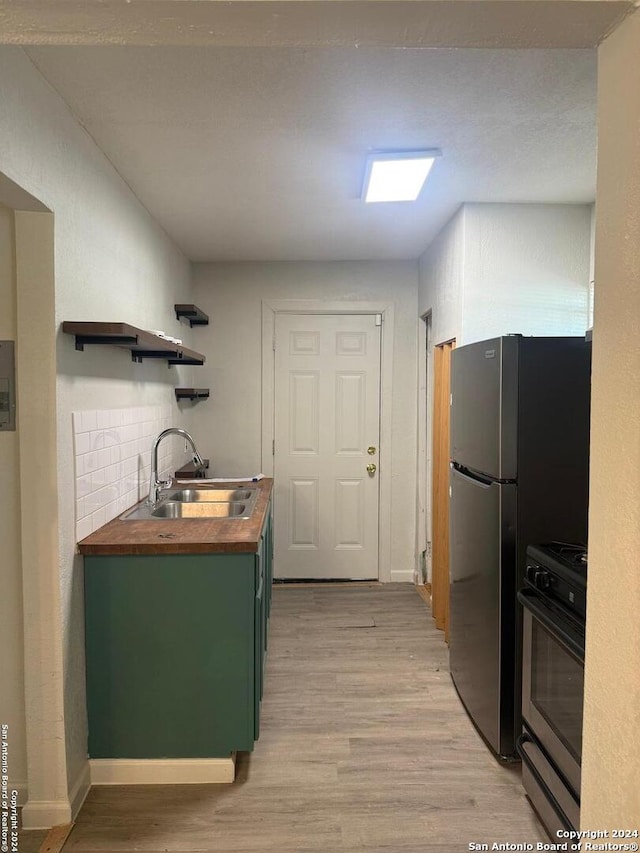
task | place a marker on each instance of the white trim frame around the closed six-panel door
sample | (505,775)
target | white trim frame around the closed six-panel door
(270,308)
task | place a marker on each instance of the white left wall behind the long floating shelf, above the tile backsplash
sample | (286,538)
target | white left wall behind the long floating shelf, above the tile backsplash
(112,262)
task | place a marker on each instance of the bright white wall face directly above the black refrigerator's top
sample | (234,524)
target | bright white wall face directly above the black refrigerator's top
(526,270)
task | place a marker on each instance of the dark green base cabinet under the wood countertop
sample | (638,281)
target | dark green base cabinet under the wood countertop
(175,648)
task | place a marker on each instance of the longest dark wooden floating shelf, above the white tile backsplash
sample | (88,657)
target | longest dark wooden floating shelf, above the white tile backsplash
(142,344)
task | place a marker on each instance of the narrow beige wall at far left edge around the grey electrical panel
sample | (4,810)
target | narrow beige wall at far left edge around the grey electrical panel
(12,710)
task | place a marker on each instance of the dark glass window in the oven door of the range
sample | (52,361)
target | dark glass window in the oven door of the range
(557,687)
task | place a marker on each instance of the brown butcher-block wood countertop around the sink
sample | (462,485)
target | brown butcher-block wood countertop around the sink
(184,535)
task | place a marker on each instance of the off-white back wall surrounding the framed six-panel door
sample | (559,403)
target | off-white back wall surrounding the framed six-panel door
(229,429)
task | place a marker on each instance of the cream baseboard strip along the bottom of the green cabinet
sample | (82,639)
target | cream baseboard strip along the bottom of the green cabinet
(162,771)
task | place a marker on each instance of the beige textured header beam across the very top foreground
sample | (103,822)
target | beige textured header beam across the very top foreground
(403,23)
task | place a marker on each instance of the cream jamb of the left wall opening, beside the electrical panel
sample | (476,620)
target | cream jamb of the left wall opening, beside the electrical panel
(49,800)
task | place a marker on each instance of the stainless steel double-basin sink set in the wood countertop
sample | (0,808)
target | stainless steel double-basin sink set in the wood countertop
(208,502)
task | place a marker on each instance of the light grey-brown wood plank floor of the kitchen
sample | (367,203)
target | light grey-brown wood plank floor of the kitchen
(364,747)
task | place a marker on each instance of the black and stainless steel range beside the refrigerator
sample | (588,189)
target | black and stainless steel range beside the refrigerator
(554,602)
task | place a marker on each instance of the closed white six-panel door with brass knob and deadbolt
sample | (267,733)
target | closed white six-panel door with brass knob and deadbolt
(327,426)
